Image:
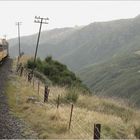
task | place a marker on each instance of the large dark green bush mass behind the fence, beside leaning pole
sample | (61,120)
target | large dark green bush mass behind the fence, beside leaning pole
(58,73)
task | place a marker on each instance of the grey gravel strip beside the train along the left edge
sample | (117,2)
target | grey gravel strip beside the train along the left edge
(10,126)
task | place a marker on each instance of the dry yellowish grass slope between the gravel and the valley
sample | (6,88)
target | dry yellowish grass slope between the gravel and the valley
(117,119)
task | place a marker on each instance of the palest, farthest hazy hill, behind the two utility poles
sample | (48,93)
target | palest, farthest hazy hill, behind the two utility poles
(47,45)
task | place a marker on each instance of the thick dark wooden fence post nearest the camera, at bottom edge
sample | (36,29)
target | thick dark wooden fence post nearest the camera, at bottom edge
(97,131)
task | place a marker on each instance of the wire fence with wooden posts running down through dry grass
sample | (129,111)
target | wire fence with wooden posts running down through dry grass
(78,126)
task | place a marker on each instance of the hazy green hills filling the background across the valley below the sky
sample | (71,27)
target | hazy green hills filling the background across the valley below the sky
(101,53)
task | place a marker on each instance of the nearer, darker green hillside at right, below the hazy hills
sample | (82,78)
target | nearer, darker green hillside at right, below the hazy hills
(118,77)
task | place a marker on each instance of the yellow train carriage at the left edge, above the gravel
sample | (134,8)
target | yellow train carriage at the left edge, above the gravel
(4,49)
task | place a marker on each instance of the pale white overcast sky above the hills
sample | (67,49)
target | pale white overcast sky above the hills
(61,14)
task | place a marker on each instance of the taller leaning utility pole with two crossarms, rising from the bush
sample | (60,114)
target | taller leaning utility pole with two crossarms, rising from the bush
(41,21)
